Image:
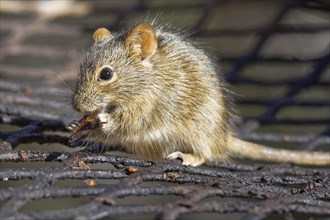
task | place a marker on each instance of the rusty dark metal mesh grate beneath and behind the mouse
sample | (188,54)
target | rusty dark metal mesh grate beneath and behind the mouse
(274,53)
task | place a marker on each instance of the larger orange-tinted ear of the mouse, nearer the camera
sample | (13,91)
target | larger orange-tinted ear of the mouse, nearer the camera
(142,41)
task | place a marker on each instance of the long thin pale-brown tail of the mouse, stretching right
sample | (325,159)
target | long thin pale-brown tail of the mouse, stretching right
(259,152)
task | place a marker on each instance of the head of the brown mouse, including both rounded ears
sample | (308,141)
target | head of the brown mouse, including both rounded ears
(117,70)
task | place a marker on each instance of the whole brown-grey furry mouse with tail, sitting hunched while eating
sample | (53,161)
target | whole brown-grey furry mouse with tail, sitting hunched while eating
(158,97)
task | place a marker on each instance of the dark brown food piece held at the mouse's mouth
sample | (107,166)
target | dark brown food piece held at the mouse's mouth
(82,128)
